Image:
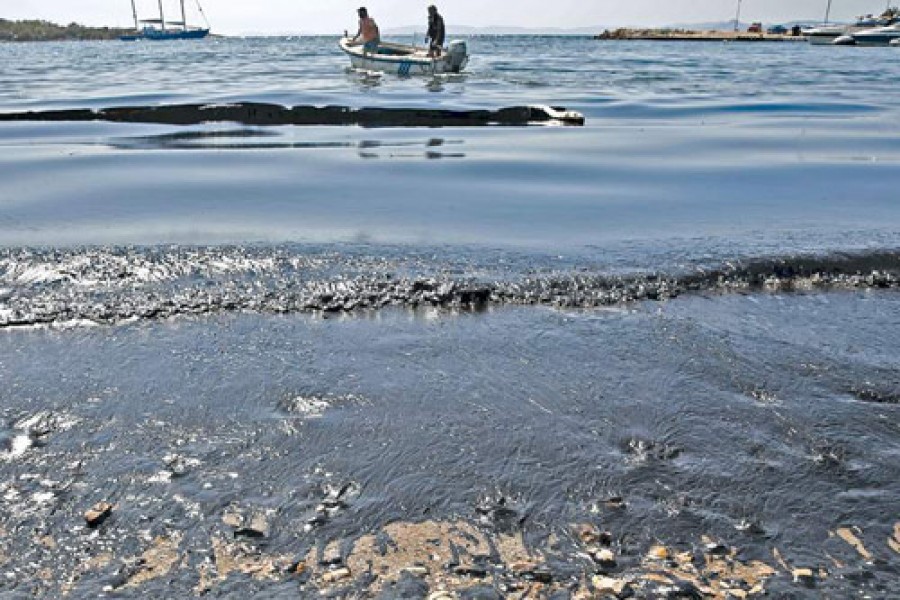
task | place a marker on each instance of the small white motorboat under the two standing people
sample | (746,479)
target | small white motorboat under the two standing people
(404,60)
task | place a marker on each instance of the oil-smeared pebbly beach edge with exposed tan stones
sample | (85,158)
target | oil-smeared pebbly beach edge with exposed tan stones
(227,548)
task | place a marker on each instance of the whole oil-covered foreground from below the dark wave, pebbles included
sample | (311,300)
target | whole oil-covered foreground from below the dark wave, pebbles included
(198,456)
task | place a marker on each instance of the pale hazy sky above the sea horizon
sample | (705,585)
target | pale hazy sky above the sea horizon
(333,16)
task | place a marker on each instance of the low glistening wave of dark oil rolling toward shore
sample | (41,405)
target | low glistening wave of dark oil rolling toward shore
(61,288)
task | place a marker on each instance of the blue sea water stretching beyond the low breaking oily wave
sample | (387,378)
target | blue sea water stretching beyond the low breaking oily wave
(762,147)
